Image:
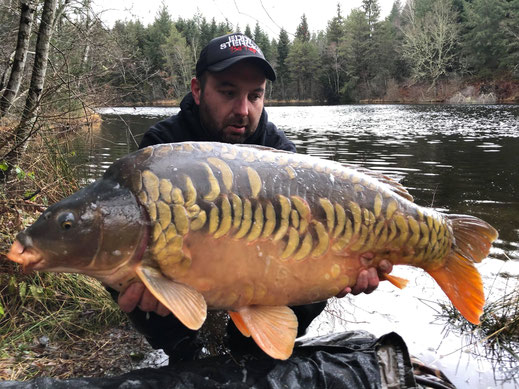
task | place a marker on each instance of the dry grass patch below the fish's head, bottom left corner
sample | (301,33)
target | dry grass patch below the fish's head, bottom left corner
(44,308)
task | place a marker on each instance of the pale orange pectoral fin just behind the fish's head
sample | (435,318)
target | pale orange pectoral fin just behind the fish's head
(186,303)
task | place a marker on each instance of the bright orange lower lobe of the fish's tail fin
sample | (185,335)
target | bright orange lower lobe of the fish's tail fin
(461,282)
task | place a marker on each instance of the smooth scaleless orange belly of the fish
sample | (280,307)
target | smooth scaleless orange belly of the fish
(232,273)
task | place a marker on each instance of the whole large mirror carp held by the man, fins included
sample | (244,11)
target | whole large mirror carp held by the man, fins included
(250,230)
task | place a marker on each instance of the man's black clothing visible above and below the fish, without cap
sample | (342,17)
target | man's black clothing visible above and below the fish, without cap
(179,342)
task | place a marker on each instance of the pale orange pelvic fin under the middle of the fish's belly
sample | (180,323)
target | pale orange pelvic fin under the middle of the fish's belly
(273,328)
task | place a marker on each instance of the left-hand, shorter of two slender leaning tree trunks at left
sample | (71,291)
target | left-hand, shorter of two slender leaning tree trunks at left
(28,9)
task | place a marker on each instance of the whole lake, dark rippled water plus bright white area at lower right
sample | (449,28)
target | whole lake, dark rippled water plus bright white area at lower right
(454,158)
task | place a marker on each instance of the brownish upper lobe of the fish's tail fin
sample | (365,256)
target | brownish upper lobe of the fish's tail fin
(473,237)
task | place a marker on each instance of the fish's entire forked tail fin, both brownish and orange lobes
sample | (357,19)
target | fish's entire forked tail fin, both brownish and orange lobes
(459,278)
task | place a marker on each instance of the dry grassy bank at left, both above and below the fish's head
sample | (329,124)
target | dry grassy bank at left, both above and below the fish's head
(58,325)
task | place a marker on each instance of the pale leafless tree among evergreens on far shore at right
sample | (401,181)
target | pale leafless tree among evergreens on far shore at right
(430,40)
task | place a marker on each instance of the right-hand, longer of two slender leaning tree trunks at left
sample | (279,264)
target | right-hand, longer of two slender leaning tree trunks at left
(23,131)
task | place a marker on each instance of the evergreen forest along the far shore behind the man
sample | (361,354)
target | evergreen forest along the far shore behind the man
(360,56)
